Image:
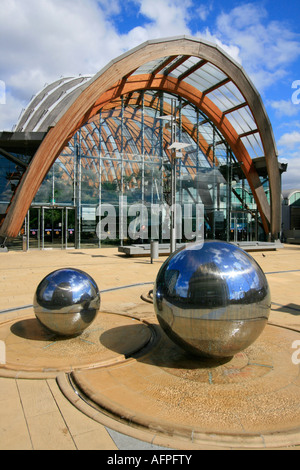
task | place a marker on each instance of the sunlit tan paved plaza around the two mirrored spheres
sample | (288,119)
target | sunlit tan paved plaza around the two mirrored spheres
(39,407)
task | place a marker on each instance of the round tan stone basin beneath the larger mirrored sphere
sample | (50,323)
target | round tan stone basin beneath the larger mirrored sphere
(250,400)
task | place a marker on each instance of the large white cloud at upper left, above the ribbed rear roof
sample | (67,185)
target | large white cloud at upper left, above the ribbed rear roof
(41,40)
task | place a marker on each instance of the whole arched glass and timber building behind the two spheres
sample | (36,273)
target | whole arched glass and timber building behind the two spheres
(117,158)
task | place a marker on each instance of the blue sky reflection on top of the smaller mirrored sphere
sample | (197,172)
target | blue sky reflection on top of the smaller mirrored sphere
(72,281)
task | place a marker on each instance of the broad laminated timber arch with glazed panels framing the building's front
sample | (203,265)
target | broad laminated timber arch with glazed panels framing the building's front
(190,69)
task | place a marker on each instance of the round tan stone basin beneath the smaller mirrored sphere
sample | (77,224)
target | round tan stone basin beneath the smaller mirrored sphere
(30,347)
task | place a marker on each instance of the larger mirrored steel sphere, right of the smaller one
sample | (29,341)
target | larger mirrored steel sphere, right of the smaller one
(212,299)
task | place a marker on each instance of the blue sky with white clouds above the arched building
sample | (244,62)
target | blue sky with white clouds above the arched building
(41,40)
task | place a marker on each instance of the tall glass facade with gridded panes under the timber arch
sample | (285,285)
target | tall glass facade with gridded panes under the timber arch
(115,173)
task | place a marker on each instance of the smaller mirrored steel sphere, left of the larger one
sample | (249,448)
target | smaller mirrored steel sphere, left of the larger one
(67,301)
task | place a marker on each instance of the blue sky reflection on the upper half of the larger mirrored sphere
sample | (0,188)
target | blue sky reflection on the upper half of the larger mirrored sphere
(235,267)
